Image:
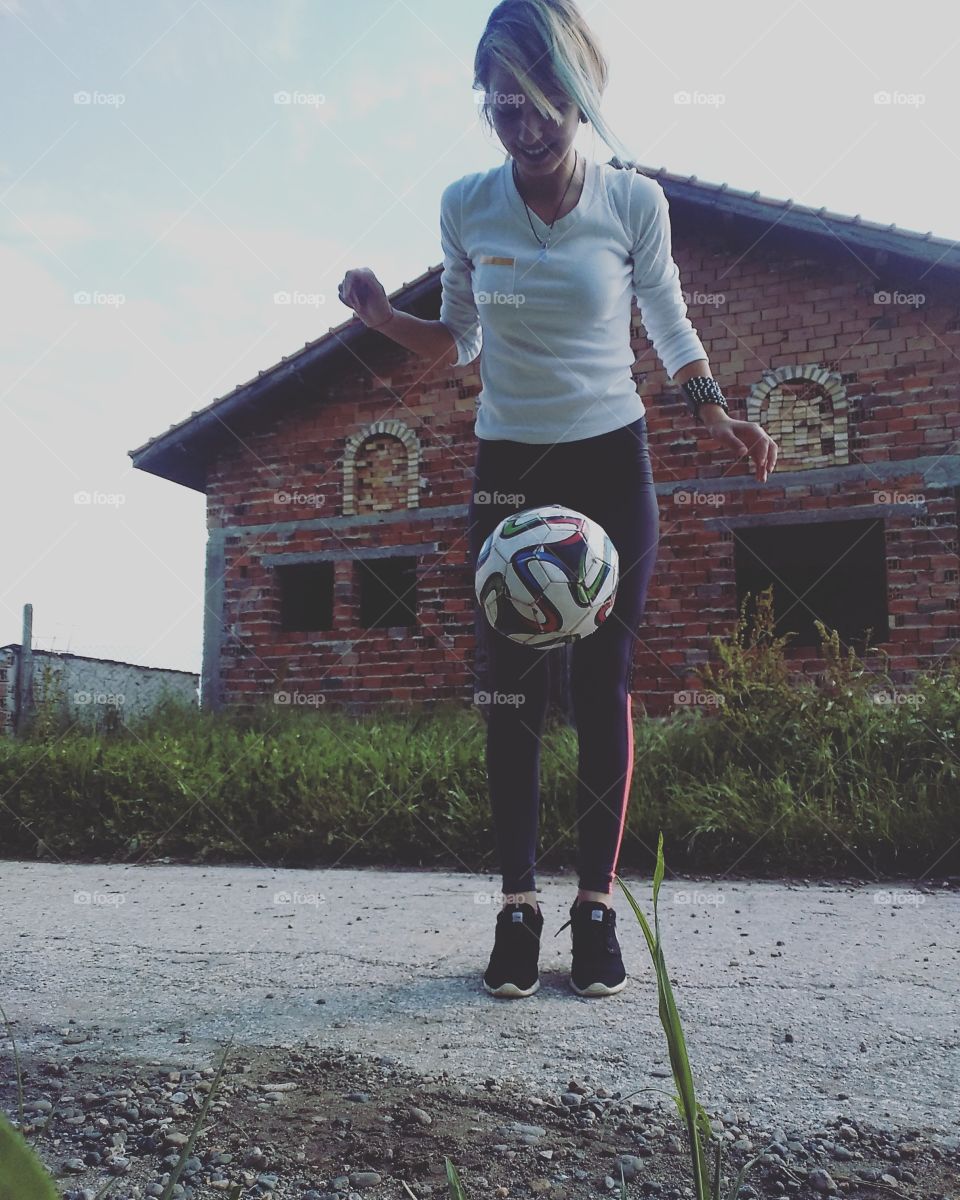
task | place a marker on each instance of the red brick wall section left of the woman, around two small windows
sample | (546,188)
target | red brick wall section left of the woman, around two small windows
(307,453)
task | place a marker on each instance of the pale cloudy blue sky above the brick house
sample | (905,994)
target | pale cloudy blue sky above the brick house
(158,193)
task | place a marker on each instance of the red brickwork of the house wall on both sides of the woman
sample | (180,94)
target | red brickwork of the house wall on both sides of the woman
(899,374)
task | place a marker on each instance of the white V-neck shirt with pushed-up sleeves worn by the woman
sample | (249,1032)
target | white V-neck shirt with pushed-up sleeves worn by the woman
(556,328)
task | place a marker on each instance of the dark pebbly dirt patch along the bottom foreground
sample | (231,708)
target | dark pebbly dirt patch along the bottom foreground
(347,1126)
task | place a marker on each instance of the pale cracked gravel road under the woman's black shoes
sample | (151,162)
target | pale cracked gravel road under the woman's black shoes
(800,1000)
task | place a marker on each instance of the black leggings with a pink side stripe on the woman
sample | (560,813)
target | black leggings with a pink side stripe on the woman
(610,479)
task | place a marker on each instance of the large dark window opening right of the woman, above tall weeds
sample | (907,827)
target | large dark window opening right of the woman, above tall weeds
(833,572)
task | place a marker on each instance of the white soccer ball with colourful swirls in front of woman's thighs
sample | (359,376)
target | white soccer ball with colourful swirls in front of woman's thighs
(547,577)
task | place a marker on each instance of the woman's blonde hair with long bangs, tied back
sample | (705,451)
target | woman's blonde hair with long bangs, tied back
(547,45)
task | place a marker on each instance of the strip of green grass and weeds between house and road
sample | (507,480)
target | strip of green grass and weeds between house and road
(777,776)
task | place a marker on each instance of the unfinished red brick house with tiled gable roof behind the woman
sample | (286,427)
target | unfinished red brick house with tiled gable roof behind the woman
(338,481)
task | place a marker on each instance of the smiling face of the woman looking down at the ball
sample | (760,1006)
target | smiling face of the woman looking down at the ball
(521,128)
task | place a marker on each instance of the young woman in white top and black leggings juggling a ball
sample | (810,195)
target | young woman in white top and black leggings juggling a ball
(542,257)
